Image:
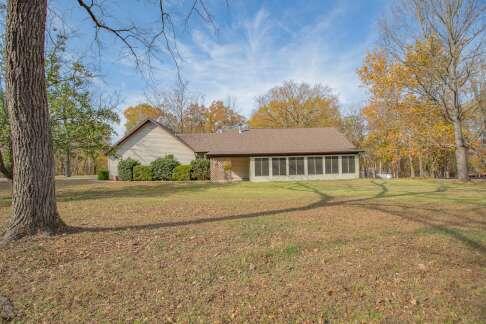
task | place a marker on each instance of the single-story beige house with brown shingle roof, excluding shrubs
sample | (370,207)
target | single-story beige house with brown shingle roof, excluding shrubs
(251,154)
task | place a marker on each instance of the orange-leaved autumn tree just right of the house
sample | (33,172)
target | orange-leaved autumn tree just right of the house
(406,133)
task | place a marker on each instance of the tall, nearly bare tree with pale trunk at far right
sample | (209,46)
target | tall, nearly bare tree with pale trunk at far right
(452,32)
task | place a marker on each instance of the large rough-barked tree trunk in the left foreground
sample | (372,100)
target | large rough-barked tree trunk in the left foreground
(34,207)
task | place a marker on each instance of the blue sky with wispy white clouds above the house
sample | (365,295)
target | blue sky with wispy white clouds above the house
(257,45)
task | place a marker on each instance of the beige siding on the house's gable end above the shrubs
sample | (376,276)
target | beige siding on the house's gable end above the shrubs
(150,143)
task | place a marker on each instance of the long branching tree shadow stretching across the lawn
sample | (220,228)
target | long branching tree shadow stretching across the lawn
(325,200)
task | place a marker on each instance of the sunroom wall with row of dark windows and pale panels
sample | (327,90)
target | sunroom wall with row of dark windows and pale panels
(306,167)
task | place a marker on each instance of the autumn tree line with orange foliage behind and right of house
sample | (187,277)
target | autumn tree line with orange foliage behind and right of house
(401,133)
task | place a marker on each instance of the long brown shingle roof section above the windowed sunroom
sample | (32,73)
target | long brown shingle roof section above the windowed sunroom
(267,141)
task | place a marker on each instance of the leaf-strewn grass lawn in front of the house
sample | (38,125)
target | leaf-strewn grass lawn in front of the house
(349,250)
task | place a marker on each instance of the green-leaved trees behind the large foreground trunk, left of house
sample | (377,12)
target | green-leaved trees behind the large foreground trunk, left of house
(81,124)
